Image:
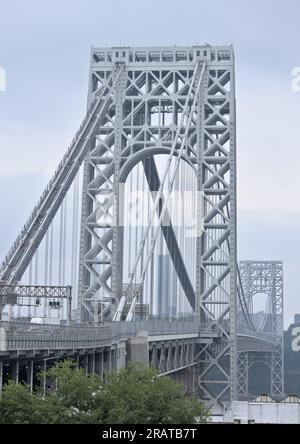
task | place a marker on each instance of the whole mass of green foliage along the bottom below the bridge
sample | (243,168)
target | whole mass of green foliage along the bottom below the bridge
(135,395)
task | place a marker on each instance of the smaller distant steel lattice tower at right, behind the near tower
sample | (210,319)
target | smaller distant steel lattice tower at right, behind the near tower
(264,278)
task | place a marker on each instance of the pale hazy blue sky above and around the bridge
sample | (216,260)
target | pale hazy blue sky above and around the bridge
(45,50)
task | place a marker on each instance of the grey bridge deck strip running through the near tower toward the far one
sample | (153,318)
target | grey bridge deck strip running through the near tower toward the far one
(26,336)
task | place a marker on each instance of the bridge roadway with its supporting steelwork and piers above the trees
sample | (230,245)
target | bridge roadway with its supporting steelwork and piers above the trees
(170,346)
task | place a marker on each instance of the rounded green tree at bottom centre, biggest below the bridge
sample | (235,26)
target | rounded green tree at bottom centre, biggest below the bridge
(137,395)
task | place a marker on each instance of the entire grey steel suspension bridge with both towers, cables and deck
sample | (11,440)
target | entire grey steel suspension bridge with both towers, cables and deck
(130,255)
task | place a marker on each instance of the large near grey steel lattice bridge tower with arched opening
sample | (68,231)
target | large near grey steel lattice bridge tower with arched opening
(194,87)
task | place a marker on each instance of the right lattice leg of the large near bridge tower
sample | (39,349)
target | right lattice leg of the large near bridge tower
(216,247)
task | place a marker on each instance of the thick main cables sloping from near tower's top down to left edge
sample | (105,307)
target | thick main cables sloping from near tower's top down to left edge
(33,232)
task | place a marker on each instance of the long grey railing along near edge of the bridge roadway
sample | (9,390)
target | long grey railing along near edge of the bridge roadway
(27,336)
